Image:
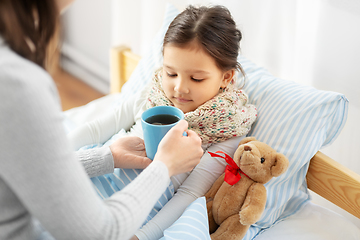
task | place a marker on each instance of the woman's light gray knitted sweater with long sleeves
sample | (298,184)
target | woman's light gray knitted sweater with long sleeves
(42,180)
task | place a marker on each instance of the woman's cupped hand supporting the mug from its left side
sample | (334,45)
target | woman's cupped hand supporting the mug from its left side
(129,152)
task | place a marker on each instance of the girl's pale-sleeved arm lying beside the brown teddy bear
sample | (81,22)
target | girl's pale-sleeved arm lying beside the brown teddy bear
(196,185)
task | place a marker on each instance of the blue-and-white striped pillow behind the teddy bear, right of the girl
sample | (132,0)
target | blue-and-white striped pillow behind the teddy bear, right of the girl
(297,121)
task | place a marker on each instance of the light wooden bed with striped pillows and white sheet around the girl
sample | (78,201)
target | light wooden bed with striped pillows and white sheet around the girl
(309,120)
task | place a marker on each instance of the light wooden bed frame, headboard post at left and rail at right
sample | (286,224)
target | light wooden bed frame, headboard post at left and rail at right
(325,176)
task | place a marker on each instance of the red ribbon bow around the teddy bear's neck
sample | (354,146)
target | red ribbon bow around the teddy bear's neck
(232,171)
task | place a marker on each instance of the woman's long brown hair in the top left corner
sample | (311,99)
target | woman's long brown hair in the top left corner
(28,26)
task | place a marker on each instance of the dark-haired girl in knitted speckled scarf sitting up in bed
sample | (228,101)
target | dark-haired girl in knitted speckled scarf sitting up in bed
(200,53)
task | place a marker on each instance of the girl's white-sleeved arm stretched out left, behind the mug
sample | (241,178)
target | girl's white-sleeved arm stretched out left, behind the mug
(102,129)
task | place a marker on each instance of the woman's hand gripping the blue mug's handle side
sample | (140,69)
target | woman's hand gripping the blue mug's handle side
(179,153)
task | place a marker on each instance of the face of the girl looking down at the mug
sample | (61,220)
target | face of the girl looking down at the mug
(191,76)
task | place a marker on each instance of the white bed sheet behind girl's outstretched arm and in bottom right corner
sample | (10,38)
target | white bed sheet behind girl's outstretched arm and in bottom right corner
(310,222)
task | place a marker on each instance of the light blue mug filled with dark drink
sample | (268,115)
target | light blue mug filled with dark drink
(156,122)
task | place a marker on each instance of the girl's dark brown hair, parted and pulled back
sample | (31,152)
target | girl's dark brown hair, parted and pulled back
(213,28)
